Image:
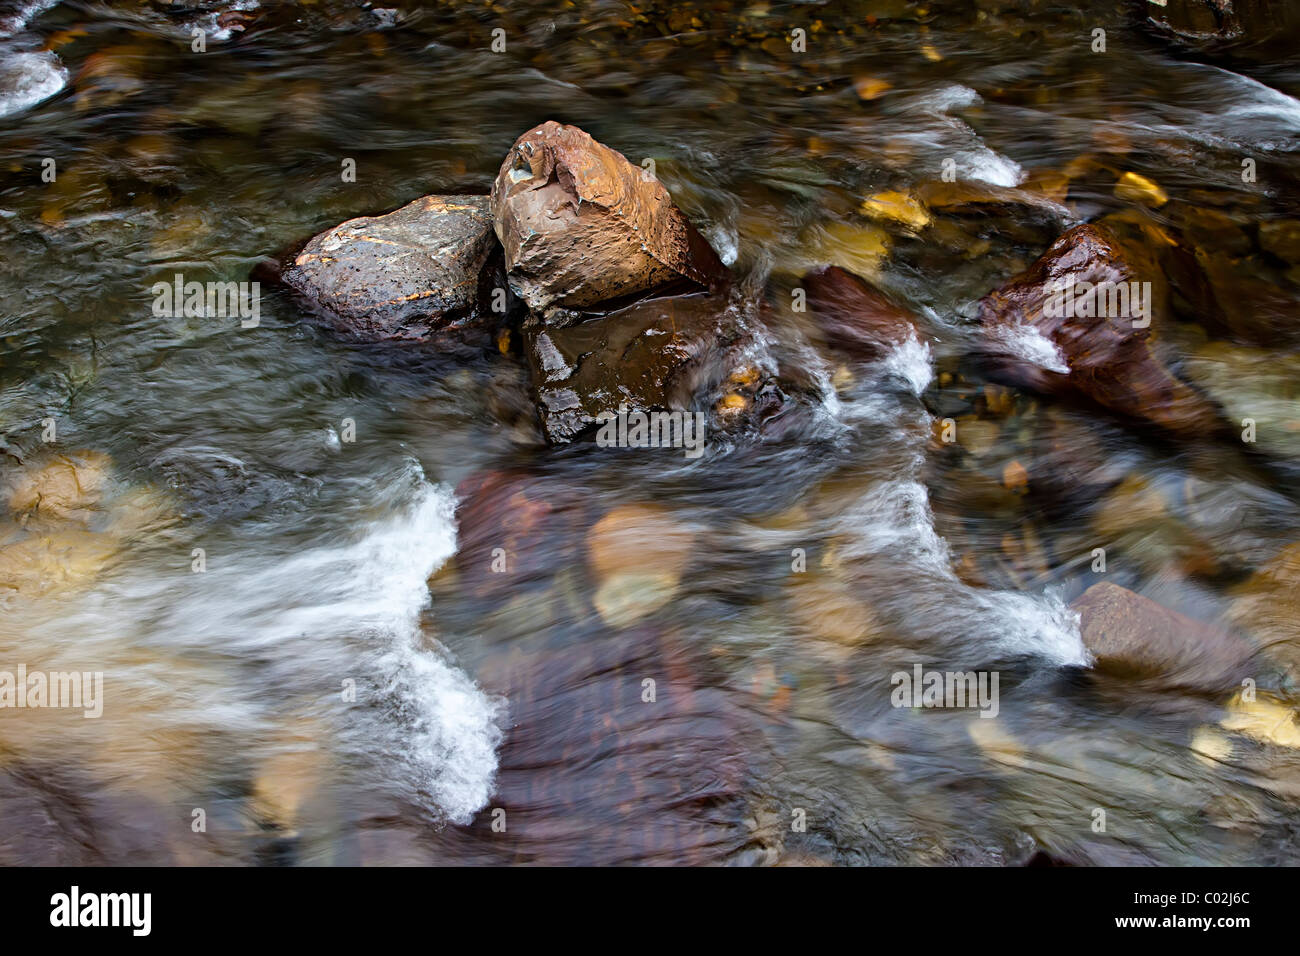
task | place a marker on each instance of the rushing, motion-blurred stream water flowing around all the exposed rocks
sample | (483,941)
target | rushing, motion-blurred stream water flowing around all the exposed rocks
(340,686)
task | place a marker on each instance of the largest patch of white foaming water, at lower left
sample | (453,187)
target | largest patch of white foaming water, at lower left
(288,629)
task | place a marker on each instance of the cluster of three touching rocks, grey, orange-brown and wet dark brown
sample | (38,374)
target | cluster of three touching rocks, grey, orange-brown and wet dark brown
(578,258)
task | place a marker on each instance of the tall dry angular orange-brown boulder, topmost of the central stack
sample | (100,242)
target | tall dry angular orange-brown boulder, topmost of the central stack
(582,226)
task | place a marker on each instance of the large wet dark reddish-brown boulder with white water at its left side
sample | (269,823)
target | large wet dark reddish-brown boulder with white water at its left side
(1039,341)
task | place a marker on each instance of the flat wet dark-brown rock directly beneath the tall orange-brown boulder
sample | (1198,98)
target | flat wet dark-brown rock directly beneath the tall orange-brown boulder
(649,356)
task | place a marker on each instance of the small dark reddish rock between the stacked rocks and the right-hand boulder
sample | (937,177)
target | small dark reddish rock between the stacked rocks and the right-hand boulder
(856,319)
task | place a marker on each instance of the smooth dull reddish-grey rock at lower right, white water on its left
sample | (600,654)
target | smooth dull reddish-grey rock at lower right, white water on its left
(1134,637)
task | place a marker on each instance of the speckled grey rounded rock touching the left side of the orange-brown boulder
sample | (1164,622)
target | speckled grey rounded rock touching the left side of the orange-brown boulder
(402,276)
